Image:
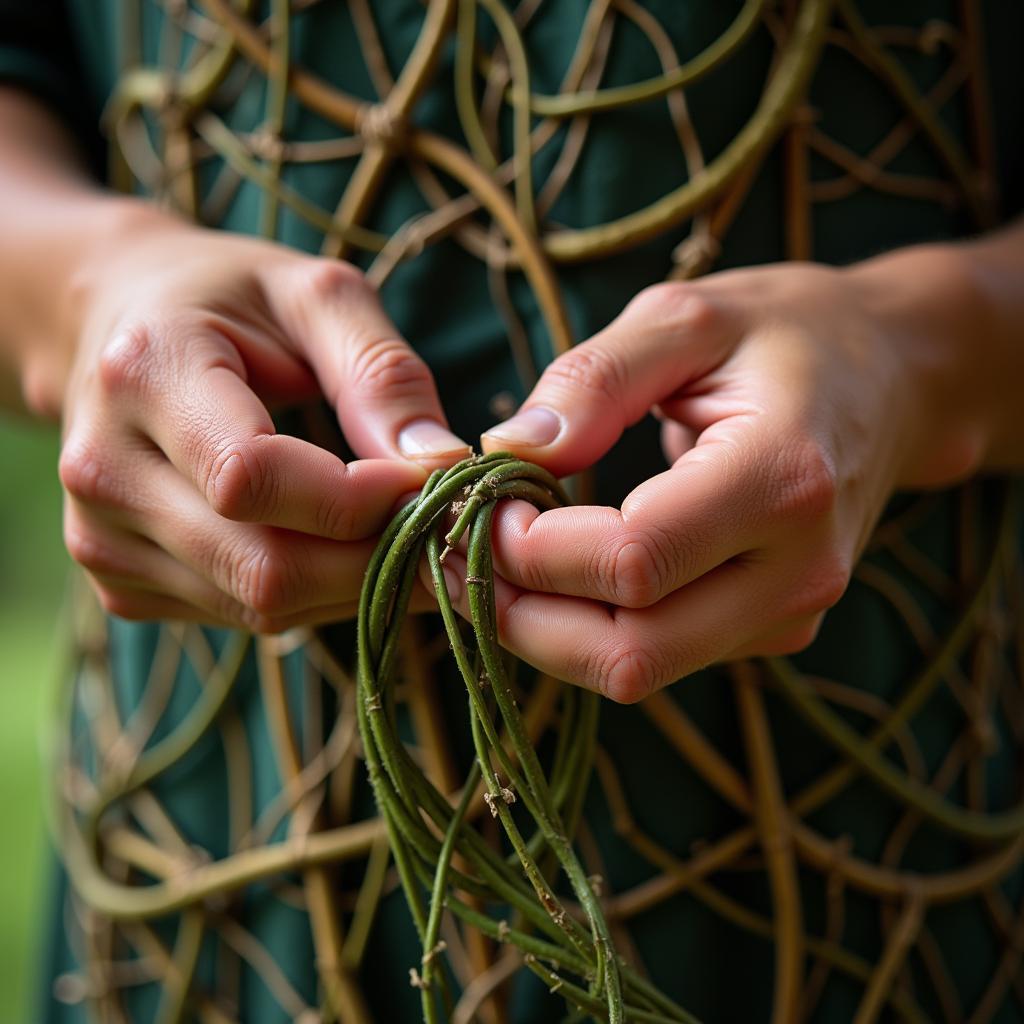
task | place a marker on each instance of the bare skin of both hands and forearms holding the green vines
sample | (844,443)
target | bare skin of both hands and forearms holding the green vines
(795,399)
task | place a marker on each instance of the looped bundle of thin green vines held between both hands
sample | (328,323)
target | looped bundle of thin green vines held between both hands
(410,804)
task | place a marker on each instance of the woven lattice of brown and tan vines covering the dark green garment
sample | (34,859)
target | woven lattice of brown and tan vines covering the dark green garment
(131,861)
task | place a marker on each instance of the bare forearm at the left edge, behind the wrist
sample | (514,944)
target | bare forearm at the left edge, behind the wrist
(57,225)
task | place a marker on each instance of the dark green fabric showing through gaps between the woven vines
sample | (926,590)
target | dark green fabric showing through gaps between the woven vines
(441,303)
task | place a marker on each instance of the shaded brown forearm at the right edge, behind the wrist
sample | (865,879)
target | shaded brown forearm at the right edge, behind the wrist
(959,309)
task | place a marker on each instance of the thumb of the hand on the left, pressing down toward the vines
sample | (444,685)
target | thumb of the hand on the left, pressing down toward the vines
(382,391)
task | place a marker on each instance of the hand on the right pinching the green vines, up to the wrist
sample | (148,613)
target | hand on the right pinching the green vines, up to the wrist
(790,415)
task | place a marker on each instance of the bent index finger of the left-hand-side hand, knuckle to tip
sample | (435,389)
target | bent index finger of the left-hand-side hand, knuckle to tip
(185,385)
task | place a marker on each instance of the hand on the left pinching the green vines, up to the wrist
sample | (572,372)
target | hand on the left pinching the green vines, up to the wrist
(183,502)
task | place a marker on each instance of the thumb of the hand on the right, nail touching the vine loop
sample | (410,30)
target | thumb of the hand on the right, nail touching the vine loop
(666,337)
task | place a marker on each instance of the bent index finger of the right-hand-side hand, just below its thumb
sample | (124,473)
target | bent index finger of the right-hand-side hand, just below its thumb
(739,491)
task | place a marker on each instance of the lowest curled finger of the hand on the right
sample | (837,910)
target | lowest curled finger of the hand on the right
(626,654)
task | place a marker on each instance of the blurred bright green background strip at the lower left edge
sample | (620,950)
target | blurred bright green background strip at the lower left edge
(33,568)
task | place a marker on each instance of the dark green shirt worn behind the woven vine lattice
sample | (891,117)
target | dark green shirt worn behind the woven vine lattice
(705,944)
